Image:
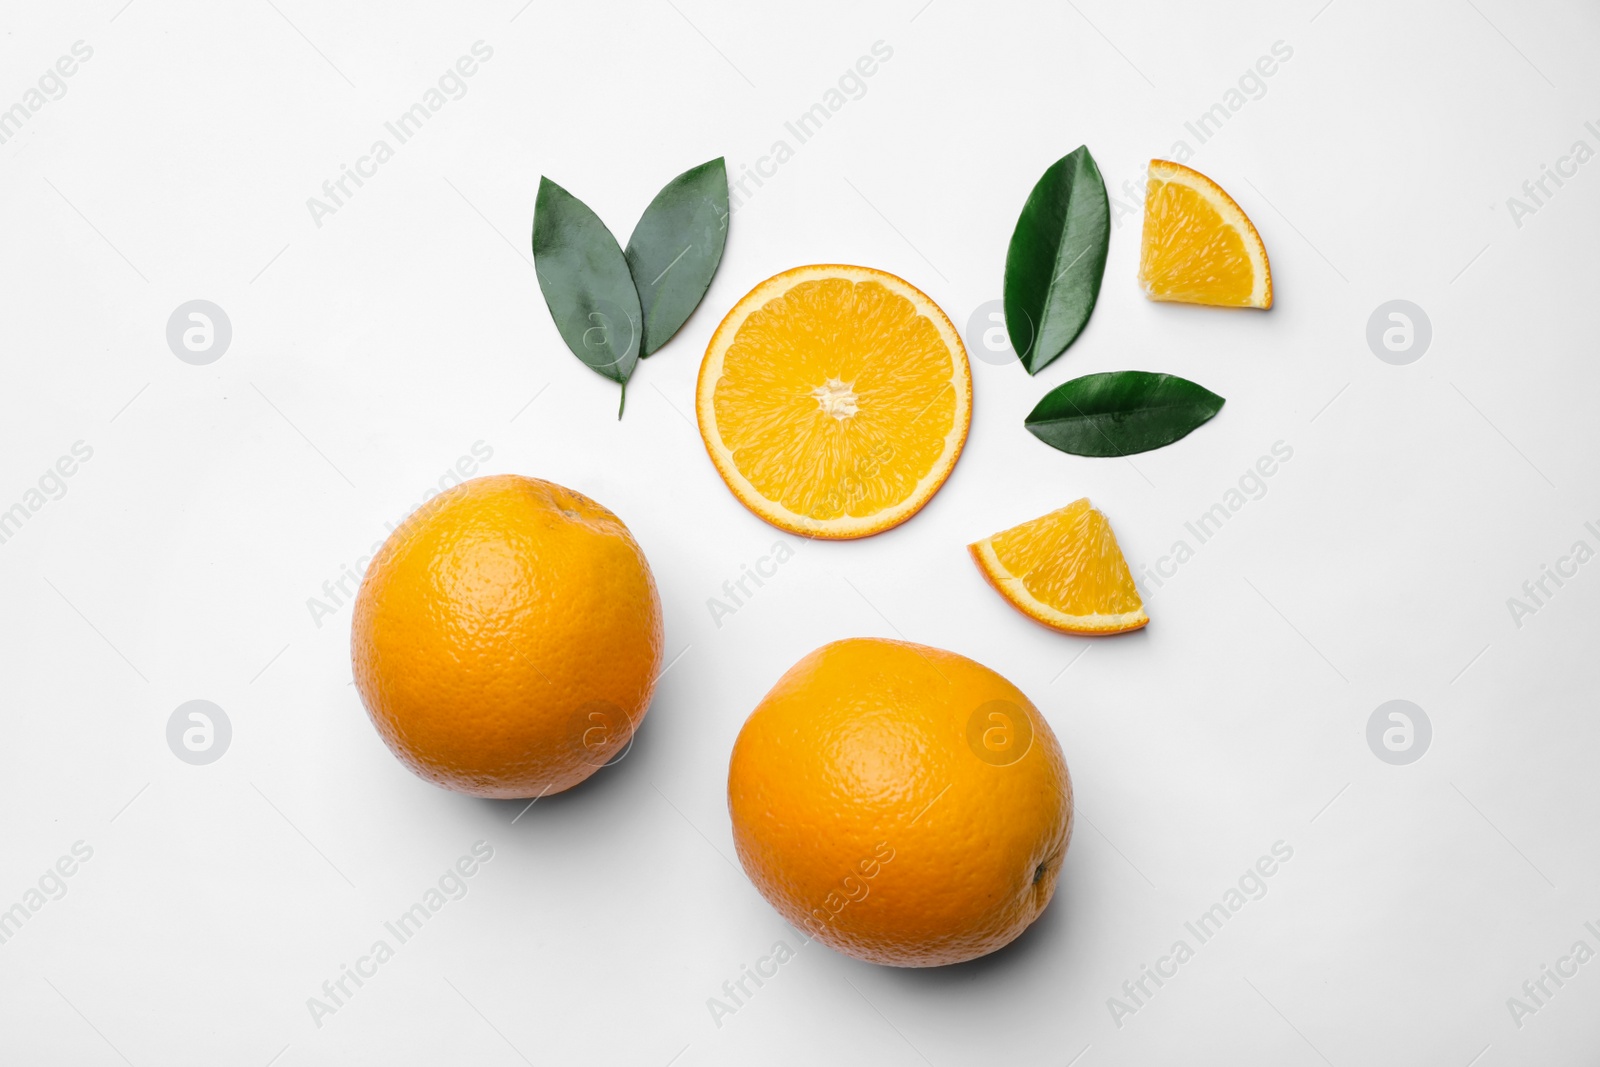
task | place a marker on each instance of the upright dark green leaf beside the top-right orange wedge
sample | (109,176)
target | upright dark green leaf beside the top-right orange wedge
(1057,260)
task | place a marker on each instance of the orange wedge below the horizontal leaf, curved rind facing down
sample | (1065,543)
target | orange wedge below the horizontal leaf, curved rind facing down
(1065,570)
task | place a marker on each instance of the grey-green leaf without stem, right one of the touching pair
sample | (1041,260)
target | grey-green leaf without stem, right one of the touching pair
(676,249)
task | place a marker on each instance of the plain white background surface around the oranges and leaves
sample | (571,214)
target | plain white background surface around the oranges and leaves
(374,351)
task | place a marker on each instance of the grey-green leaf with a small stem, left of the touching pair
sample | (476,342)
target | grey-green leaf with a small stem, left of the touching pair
(586,286)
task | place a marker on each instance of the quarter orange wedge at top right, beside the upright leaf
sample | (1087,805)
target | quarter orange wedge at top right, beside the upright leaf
(1199,246)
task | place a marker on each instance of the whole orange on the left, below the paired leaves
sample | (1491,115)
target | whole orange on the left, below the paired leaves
(508,639)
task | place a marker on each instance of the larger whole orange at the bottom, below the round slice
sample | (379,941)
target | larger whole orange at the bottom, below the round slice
(866,818)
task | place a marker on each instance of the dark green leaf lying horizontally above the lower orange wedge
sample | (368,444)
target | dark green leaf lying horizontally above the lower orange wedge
(1121,414)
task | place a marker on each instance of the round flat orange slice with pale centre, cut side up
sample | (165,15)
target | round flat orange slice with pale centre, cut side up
(834,401)
